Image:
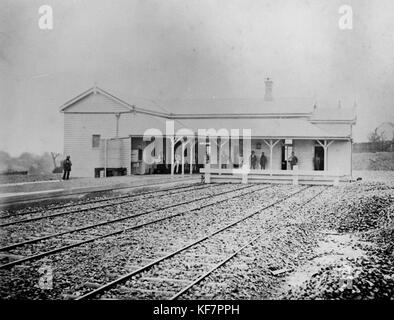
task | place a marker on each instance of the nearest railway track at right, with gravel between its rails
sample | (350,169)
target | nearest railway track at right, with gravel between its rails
(177,287)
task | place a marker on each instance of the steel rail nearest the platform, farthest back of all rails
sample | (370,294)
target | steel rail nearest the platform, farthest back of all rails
(95,201)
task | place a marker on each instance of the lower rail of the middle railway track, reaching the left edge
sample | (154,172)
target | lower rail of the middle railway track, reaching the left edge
(63,248)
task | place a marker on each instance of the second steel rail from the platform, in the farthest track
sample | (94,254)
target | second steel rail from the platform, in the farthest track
(110,202)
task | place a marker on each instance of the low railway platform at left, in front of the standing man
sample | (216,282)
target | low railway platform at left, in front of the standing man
(32,191)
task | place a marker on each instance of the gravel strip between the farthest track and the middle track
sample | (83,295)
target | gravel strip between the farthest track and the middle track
(27,231)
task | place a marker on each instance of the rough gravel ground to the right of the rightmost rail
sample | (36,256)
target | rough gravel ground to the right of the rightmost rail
(364,210)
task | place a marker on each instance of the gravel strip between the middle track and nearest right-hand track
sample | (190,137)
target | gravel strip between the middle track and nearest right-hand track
(103,260)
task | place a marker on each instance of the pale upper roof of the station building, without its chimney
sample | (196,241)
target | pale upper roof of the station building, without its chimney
(294,108)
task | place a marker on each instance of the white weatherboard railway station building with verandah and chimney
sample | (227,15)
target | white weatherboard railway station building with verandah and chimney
(107,135)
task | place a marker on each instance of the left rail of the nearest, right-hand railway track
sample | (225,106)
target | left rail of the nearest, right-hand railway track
(157,261)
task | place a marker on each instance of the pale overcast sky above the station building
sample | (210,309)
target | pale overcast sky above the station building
(190,49)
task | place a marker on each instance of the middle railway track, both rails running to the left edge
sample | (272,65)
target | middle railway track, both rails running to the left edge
(118,231)
